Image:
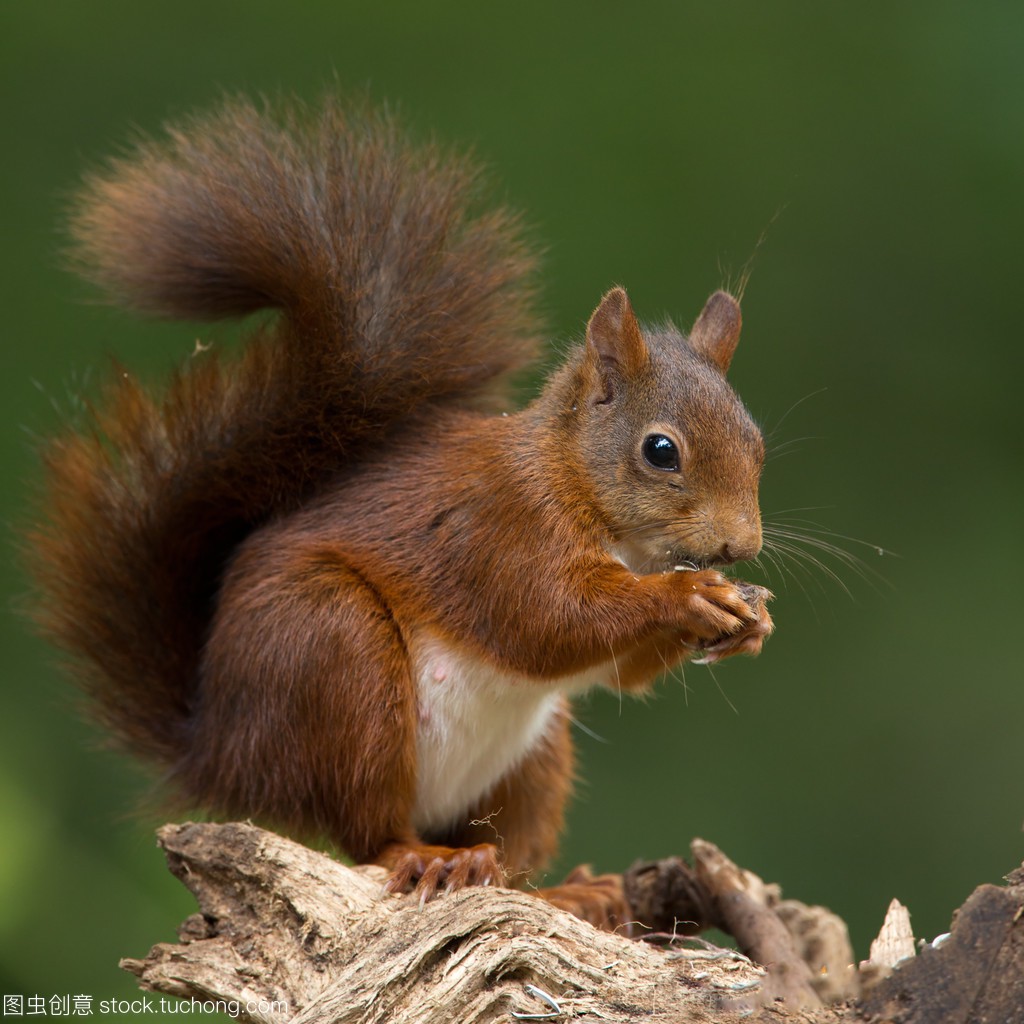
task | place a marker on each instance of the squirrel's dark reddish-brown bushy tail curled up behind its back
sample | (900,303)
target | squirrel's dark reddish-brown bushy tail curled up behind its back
(393,294)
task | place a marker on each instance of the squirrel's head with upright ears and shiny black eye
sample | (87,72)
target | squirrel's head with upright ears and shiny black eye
(673,456)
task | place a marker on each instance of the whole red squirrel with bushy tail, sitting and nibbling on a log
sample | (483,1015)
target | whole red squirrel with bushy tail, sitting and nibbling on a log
(329,583)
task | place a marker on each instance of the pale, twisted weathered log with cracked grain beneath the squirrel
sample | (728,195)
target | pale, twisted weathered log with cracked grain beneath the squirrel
(290,935)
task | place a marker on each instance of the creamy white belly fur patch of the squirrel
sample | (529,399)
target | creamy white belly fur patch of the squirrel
(477,723)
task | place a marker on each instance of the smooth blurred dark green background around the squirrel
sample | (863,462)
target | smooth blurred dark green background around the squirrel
(875,750)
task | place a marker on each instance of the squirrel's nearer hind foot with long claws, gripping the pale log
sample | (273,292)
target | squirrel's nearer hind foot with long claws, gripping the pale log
(426,871)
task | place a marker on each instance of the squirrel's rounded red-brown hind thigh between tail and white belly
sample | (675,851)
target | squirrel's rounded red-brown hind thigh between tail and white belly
(307,714)
